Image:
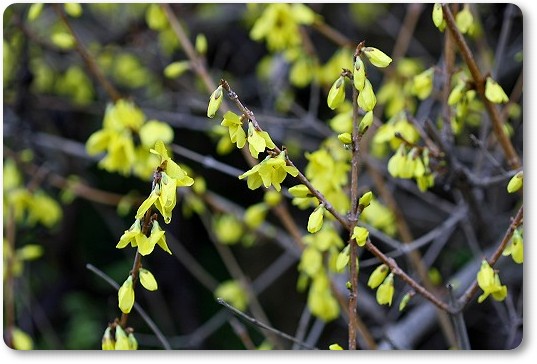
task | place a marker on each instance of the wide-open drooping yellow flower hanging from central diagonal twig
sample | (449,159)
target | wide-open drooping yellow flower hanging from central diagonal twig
(271,171)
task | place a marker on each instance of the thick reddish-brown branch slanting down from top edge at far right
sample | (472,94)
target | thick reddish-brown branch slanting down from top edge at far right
(497,125)
